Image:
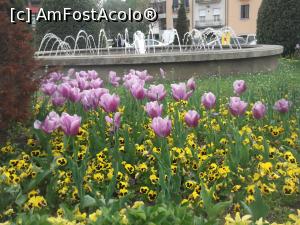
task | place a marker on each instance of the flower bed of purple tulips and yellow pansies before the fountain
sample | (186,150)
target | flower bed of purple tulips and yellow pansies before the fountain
(121,151)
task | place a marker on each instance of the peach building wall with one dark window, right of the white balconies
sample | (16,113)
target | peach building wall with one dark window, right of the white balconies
(241,15)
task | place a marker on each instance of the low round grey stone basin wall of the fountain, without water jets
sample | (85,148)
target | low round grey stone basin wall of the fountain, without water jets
(178,65)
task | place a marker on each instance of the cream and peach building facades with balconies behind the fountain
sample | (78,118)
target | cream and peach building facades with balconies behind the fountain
(240,15)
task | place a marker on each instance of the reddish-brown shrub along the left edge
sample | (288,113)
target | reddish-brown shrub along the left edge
(16,69)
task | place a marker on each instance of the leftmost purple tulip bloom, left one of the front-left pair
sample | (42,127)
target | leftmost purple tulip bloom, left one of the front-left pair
(51,123)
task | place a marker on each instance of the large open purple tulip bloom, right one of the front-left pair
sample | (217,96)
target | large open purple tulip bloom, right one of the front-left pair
(70,124)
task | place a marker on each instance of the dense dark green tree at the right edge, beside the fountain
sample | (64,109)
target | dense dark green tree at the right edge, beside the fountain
(279,23)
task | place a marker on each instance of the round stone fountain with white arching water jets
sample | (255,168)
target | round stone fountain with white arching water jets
(201,52)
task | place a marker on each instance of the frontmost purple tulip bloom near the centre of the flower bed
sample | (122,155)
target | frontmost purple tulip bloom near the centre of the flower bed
(161,127)
